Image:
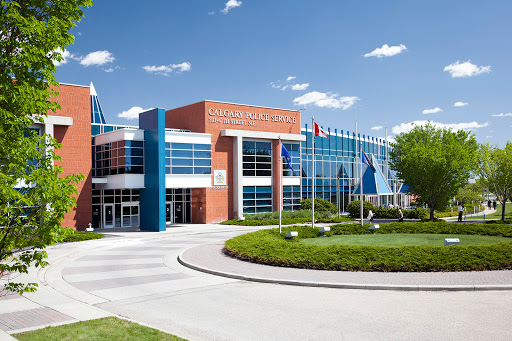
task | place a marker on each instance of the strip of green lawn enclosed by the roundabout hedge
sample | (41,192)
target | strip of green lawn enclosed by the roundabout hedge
(401,239)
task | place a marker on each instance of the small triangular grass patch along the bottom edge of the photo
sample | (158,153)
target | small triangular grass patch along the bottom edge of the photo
(105,329)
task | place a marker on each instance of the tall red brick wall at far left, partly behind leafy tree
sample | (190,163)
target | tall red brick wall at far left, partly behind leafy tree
(76,149)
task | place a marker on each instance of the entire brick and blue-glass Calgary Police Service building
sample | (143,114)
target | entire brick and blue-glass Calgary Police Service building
(202,163)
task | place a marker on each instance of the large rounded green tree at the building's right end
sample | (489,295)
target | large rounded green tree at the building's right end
(434,162)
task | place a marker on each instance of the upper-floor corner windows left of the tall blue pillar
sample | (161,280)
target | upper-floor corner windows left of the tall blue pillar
(121,157)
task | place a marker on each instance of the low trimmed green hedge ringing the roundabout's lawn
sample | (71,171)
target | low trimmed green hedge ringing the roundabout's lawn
(270,247)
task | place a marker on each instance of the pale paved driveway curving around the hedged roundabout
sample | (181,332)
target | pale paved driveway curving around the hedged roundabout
(137,276)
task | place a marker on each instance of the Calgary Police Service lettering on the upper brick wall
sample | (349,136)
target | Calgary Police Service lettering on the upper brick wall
(246,118)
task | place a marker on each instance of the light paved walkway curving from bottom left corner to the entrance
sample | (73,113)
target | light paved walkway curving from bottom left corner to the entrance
(56,302)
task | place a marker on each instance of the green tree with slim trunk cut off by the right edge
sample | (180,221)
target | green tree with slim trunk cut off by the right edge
(495,171)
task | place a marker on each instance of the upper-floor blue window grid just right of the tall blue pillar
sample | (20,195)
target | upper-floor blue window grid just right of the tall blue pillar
(188,158)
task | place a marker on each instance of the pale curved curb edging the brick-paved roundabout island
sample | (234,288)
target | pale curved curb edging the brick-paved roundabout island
(476,287)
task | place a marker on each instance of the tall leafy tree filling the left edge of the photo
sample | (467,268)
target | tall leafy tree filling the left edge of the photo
(33,195)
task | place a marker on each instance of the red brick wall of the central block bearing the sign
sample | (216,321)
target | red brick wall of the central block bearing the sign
(217,202)
